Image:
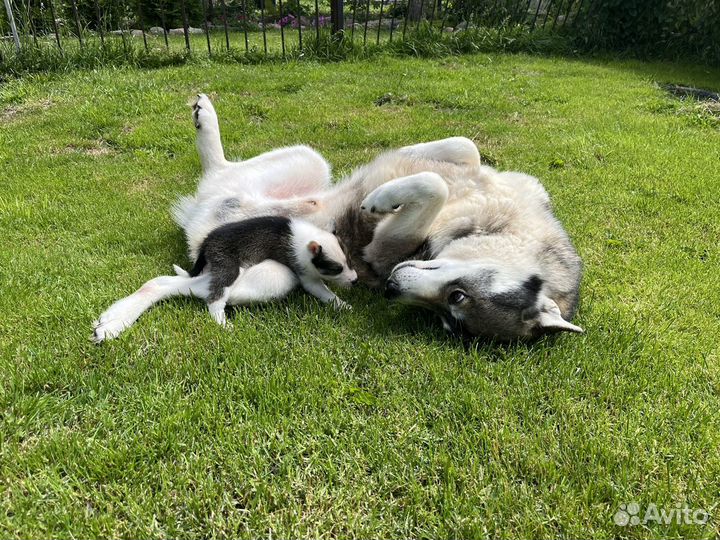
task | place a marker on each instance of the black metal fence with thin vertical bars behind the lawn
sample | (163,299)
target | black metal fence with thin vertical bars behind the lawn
(264,26)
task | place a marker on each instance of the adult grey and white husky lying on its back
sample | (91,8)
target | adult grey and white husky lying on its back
(429,221)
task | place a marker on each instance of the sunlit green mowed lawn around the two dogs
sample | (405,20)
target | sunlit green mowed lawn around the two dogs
(304,422)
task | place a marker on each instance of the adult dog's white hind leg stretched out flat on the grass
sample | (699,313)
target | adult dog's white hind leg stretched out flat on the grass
(123,313)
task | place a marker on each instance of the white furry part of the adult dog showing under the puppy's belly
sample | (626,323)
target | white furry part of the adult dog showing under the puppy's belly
(268,280)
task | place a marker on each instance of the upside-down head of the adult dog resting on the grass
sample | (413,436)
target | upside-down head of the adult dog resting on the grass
(478,299)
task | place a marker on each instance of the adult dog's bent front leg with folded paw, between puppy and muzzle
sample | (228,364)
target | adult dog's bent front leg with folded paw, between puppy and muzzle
(411,204)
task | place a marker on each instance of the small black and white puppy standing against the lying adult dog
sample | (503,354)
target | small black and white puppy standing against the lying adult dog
(313,255)
